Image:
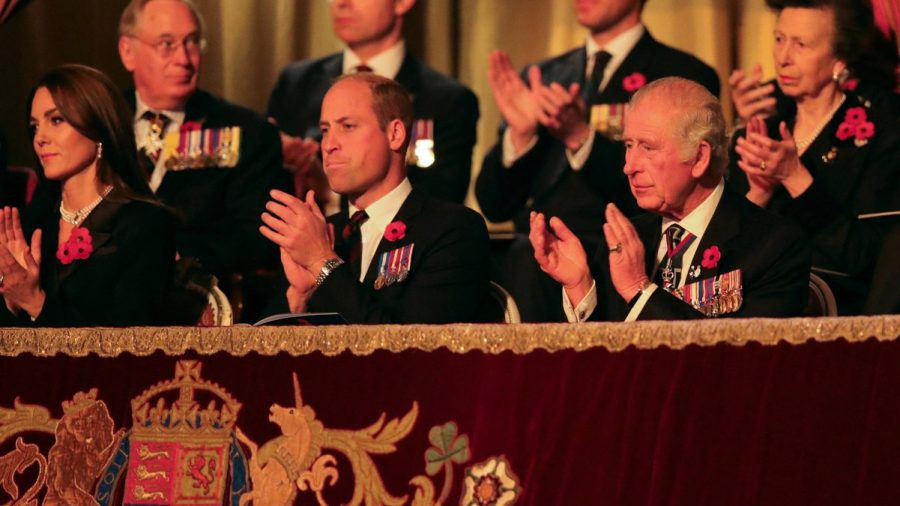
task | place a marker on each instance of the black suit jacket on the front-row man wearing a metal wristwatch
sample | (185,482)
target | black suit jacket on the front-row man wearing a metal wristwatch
(448,279)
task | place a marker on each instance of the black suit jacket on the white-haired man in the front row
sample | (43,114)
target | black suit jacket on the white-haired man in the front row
(773,257)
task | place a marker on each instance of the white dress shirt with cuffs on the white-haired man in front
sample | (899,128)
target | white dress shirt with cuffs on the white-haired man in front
(696,222)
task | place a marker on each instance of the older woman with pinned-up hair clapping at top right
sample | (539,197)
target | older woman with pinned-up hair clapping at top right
(829,157)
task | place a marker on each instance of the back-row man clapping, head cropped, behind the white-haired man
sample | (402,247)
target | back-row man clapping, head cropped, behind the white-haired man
(559,150)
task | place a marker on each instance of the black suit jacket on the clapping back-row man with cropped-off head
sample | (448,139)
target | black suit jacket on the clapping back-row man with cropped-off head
(542,179)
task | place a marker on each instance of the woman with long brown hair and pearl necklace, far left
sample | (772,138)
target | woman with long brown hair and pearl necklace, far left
(102,249)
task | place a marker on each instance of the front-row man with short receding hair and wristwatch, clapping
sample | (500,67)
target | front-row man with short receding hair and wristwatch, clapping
(396,255)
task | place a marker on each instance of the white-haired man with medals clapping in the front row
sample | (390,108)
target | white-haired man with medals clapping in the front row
(700,251)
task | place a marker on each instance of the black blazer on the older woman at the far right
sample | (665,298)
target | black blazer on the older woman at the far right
(853,200)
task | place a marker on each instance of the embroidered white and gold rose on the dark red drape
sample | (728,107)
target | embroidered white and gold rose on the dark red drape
(490,483)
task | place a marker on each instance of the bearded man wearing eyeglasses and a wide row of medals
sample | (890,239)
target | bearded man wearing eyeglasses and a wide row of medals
(214,162)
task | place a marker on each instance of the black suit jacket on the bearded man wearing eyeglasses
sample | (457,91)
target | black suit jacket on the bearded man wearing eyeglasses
(219,209)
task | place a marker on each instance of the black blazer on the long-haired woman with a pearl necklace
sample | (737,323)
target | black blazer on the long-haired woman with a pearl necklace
(125,279)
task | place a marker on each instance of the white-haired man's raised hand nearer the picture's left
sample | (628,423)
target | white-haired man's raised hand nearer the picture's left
(560,254)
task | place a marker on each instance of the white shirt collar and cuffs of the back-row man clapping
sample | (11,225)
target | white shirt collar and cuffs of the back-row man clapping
(618,48)
